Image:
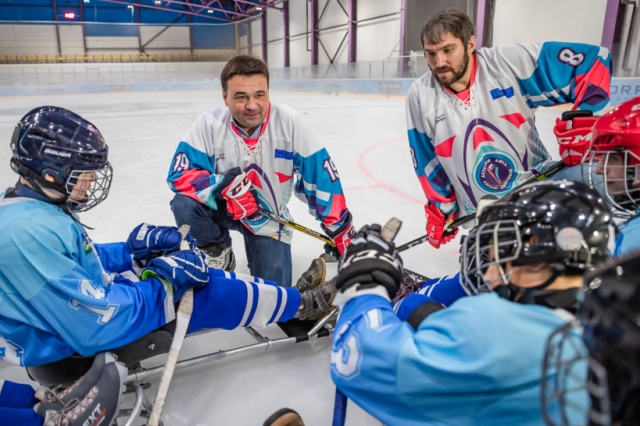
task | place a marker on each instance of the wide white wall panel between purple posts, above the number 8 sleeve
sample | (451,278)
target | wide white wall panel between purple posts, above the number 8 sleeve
(520,21)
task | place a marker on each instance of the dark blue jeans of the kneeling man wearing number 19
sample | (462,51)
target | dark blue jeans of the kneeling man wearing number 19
(268,258)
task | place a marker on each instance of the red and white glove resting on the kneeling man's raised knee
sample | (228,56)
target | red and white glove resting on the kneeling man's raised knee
(235,190)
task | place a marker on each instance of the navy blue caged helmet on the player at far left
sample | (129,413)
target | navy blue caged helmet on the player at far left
(55,149)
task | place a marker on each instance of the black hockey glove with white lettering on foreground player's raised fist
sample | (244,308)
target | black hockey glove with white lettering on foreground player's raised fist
(370,261)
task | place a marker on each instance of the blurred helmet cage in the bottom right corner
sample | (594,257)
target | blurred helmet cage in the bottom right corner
(568,375)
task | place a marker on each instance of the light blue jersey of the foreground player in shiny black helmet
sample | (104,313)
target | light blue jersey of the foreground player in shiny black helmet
(477,362)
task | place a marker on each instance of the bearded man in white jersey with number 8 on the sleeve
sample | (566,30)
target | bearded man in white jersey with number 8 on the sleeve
(471,117)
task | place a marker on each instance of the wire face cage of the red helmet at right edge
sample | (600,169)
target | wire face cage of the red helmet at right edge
(624,197)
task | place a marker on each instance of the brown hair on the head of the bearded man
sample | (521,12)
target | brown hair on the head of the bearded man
(452,21)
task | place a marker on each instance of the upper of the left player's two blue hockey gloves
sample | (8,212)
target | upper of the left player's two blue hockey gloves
(147,241)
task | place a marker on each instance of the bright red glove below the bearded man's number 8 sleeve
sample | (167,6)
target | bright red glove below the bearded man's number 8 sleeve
(574,136)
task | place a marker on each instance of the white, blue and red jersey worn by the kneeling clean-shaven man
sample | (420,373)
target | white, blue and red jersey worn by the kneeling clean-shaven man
(286,158)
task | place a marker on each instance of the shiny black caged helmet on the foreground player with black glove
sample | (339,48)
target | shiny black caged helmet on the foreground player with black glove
(564,223)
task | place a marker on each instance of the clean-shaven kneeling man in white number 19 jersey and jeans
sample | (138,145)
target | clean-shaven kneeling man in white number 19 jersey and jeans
(253,154)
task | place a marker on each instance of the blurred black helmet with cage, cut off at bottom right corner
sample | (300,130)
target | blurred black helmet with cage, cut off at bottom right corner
(610,324)
